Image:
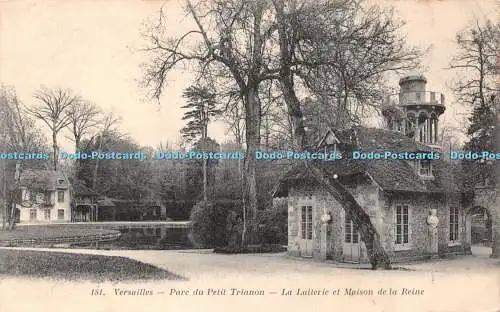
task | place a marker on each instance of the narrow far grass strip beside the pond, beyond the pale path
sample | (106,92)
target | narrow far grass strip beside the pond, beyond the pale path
(46,234)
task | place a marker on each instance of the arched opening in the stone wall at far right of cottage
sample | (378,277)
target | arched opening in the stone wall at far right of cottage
(481,231)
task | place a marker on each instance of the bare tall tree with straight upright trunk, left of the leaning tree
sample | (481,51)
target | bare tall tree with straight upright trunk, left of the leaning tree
(232,37)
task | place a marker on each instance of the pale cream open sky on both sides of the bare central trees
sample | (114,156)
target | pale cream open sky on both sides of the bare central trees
(92,47)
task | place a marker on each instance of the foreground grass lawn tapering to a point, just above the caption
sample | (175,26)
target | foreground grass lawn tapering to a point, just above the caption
(68,266)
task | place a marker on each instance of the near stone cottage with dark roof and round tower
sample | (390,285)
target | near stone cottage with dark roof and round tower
(399,195)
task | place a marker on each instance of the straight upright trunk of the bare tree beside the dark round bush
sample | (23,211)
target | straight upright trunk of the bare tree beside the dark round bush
(252,121)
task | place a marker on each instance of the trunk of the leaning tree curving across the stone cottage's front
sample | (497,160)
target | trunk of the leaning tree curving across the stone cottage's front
(378,257)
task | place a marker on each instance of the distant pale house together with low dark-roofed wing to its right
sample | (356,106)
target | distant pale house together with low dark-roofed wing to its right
(48,196)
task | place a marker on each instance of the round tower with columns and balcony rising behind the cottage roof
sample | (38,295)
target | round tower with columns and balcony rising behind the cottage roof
(416,111)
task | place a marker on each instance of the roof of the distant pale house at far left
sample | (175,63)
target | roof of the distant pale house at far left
(46,180)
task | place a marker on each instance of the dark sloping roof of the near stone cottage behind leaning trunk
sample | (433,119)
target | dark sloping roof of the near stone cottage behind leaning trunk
(390,175)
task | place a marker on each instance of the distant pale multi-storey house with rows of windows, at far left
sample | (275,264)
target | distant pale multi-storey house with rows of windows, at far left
(44,197)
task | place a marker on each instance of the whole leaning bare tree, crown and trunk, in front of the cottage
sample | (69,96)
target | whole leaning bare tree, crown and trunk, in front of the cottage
(376,38)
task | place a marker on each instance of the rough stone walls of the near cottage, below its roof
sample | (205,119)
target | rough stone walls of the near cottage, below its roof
(380,206)
